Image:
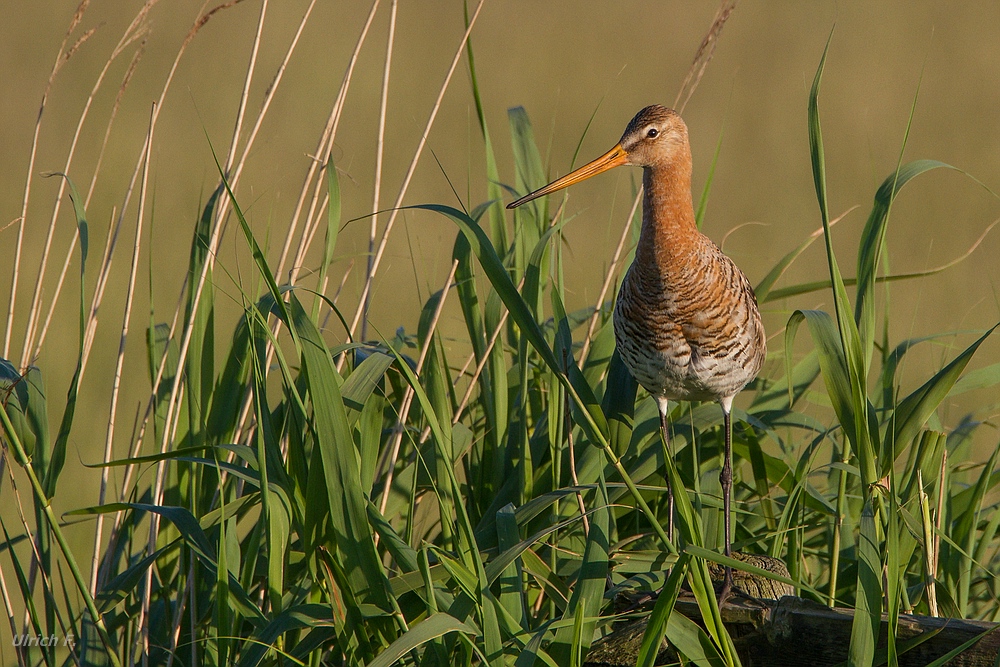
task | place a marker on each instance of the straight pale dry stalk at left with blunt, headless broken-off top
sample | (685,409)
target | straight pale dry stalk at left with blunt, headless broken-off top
(120,362)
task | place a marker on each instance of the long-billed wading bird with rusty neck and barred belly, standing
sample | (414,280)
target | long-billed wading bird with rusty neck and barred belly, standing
(687,325)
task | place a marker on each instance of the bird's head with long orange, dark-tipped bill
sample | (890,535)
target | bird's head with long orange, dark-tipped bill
(655,136)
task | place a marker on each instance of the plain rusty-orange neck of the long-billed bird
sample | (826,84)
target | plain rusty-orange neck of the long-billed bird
(668,224)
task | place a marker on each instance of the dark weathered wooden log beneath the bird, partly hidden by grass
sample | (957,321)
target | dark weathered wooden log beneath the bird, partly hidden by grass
(794,632)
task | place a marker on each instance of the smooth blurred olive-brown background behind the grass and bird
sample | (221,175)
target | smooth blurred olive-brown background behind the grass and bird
(560,59)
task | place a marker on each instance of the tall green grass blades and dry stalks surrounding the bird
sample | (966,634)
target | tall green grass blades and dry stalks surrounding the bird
(317,499)
